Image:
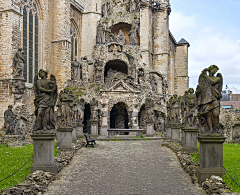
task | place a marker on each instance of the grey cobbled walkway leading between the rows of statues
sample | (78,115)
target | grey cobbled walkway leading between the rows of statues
(124,167)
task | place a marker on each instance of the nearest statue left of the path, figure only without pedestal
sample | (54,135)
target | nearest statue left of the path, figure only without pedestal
(45,100)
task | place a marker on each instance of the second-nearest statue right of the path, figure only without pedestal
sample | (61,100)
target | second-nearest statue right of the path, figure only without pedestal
(190,102)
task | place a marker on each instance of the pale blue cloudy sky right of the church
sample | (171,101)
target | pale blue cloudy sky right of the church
(212,27)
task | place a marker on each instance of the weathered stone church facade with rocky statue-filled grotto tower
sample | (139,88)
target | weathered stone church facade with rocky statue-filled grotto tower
(120,53)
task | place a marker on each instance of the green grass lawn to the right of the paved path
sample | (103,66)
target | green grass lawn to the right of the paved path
(231,162)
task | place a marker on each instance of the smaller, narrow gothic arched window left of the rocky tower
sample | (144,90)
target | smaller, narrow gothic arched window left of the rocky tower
(74,42)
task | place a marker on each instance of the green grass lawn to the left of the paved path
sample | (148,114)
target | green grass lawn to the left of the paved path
(11,159)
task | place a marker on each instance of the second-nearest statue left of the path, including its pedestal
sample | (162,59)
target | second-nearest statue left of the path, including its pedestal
(65,117)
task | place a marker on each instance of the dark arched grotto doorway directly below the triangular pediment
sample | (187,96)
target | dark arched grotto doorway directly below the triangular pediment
(119,116)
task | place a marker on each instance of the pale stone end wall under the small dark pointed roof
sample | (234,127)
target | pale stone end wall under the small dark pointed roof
(181,69)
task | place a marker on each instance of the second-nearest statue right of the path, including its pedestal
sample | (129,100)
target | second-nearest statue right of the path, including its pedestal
(189,131)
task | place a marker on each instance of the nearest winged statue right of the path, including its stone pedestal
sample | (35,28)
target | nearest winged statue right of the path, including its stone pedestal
(211,138)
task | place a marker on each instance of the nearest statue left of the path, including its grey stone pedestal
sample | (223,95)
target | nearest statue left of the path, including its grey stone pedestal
(44,131)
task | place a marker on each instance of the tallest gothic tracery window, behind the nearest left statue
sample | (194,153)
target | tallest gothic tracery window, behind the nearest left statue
(30,38)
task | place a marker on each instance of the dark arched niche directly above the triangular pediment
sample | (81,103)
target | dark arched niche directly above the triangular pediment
(115,70)
